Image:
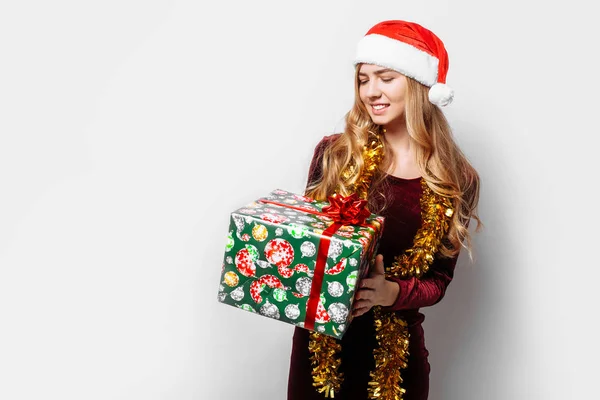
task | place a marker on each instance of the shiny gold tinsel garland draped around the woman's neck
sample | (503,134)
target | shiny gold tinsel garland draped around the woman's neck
(391,331)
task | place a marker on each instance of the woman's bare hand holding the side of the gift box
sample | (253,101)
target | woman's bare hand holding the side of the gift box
(375,290)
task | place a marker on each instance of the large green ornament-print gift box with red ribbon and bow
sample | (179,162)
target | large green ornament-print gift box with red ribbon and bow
(298,260)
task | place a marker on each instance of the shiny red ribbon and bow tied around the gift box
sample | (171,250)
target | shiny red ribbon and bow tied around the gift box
(348,210)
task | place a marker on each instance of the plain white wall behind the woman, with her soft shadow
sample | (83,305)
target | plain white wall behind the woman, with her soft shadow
(130,129)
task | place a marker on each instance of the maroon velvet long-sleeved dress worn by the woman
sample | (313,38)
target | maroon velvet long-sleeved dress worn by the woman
(402,220)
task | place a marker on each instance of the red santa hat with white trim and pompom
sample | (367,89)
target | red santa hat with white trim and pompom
(412,50)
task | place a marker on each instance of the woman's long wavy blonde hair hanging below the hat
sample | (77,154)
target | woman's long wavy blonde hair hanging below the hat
(441,163)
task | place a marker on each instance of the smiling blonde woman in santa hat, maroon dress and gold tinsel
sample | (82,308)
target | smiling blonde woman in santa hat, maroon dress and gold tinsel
(396,151)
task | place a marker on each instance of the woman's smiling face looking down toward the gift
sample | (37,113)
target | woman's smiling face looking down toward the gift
(382,91)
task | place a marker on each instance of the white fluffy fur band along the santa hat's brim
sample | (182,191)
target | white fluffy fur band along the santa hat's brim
(399,56)
